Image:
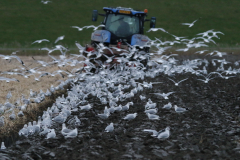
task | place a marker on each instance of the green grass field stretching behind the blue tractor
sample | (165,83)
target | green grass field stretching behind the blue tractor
(25,21)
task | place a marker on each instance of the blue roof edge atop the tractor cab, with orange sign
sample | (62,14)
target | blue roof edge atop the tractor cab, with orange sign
(122,10)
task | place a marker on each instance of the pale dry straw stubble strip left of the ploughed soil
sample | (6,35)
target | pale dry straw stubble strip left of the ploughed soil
(23,88)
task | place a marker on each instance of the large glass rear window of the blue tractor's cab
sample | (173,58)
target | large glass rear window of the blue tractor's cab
(122,25)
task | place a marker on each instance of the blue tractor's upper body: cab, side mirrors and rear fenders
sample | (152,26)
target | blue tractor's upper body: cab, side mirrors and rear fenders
(122,25)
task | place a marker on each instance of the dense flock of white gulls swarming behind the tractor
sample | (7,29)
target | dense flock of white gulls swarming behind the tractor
(112,86)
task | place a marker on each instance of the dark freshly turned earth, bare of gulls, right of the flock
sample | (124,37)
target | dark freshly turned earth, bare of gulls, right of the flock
(210,129)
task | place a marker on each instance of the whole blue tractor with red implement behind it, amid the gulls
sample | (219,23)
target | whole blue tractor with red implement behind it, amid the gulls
(122,30)
